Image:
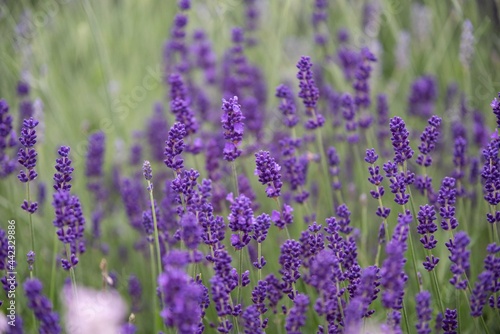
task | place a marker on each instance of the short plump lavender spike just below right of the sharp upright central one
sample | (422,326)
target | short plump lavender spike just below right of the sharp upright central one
(269,173)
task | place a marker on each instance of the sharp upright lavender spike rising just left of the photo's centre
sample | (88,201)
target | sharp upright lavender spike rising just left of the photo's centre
(232,123)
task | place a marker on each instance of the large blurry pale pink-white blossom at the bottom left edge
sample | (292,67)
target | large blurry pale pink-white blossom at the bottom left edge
(93,312)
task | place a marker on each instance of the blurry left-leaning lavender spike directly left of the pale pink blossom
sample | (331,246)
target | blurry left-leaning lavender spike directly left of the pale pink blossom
(41,307)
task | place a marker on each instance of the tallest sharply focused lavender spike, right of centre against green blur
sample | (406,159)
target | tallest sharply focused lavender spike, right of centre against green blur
(309,93)
